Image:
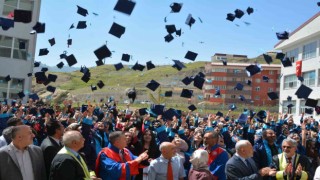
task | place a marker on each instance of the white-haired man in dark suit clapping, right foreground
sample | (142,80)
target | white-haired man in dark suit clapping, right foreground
(242,166)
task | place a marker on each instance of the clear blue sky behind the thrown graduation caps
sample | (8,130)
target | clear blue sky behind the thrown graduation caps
(143,39)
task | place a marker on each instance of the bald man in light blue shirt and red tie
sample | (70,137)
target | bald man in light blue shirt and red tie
(168,165)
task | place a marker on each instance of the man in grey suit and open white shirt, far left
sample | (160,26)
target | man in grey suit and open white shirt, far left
(20,159)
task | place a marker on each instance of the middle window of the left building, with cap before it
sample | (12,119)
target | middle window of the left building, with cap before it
(9,47)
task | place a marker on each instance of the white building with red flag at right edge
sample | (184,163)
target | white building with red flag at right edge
(303,44)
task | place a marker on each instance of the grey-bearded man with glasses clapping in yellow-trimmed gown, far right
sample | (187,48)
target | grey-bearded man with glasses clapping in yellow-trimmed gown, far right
(291,165)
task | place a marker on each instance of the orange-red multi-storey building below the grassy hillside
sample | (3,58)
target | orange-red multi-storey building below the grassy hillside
(227,77)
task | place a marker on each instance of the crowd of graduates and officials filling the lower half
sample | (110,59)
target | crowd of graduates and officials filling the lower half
(101,141)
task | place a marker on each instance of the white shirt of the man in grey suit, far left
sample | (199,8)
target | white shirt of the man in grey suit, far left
(25,163)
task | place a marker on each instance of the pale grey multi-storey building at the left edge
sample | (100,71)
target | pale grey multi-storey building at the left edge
(16,61)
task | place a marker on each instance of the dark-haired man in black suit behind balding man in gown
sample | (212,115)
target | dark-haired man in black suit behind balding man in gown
(51,145)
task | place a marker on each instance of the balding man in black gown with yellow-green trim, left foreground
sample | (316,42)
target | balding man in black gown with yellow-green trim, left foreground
(68,163)
